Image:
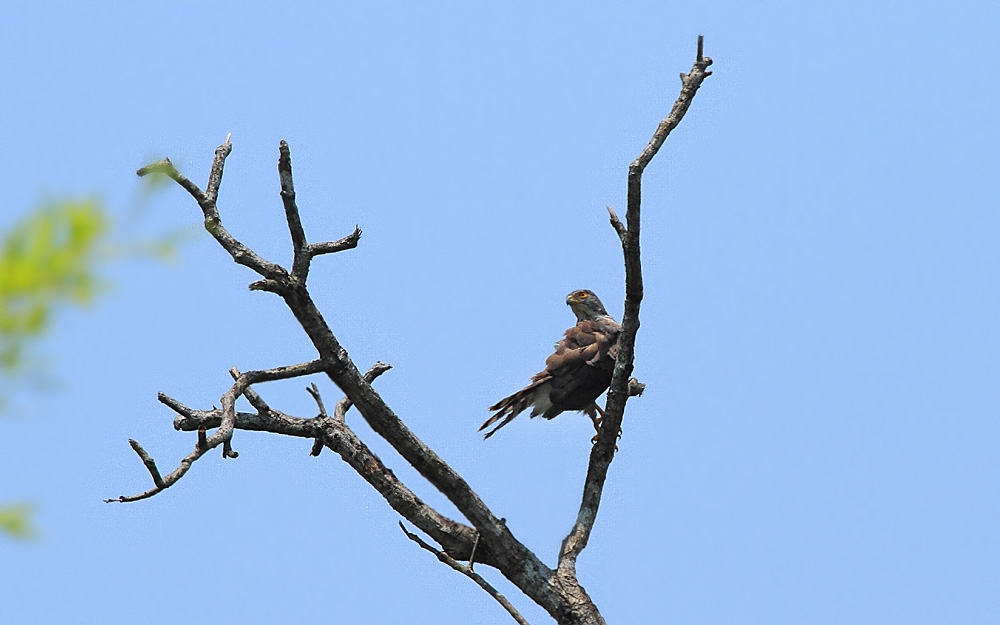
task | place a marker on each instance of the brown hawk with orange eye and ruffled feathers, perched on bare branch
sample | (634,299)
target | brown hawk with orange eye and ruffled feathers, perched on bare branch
(576,374)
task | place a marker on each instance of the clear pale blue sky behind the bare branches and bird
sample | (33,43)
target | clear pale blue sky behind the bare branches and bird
(818,439)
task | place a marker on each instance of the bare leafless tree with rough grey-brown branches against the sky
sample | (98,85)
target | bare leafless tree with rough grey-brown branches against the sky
(487,541)
